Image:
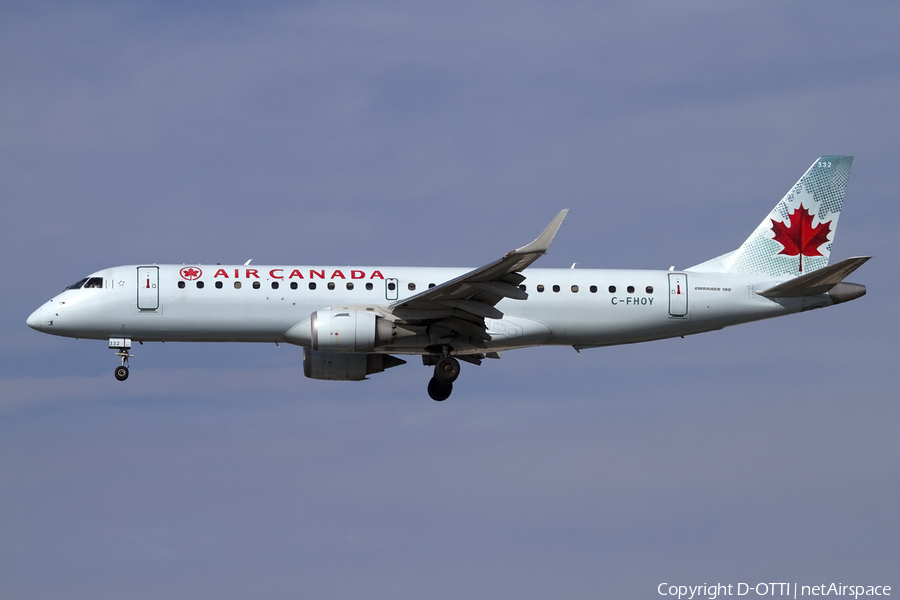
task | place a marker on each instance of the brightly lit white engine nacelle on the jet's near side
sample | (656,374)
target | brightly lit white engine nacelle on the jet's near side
(345,330)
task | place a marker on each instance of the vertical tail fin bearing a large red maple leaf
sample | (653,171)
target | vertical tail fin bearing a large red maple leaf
(797,235)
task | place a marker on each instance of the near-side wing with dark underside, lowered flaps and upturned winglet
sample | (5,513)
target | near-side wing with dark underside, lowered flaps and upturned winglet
(454,311)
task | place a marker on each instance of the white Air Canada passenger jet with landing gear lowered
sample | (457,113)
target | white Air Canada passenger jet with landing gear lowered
(356,321)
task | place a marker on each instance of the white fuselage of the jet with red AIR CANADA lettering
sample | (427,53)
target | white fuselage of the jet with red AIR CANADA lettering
(239,303)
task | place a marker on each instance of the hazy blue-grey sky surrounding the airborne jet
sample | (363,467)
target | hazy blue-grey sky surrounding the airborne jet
(440,133)
